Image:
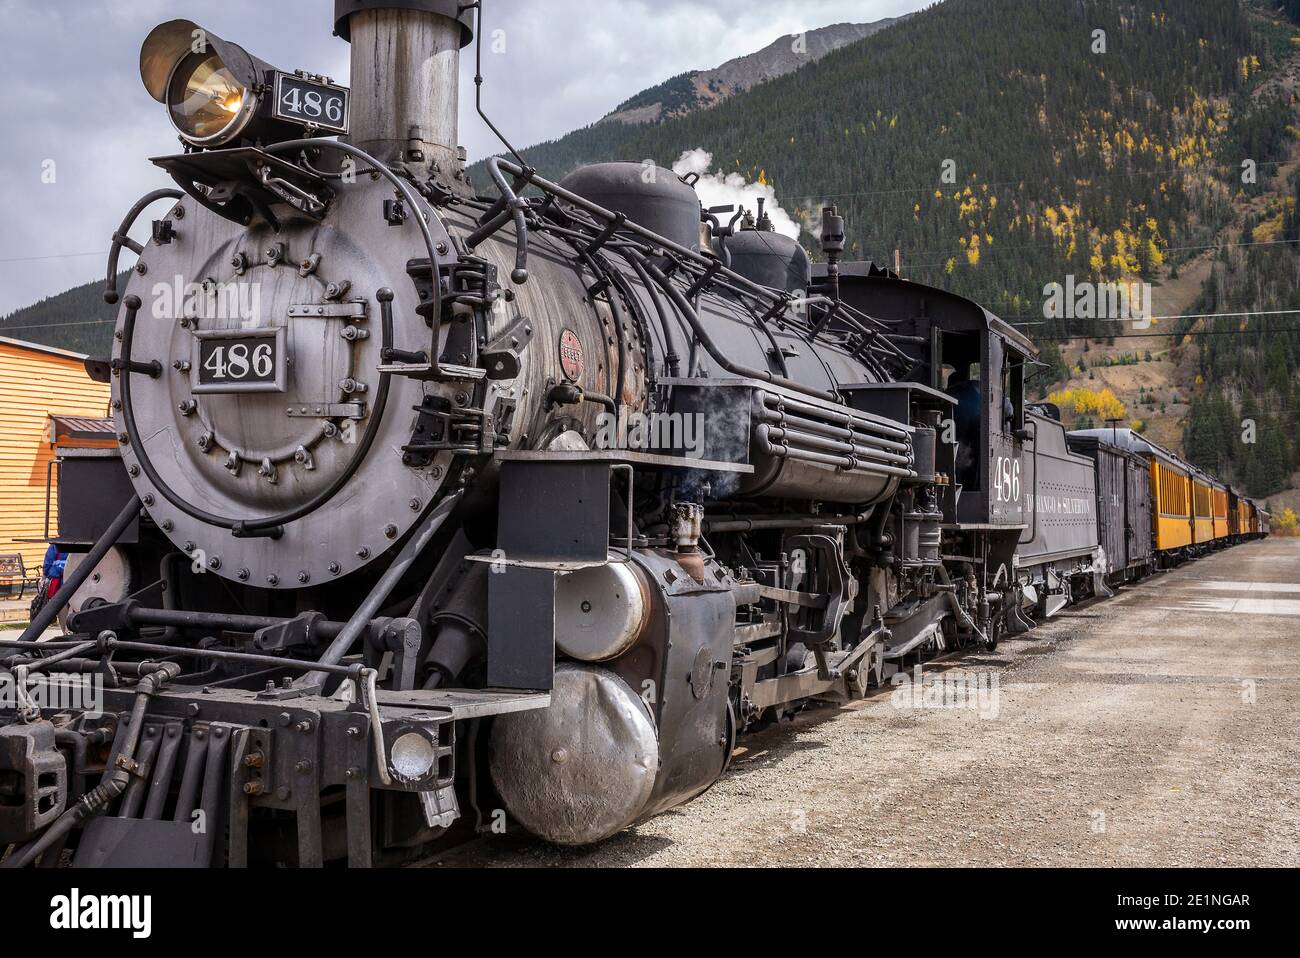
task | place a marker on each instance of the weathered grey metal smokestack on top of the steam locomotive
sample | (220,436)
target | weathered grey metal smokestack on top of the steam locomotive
(406,77)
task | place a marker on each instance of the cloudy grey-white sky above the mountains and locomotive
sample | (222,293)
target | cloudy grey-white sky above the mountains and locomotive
(73,97)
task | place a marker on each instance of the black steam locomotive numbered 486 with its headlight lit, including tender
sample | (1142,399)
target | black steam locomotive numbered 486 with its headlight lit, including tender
(435,509)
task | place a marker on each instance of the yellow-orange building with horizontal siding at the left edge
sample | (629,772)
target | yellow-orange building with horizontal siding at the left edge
(42,387)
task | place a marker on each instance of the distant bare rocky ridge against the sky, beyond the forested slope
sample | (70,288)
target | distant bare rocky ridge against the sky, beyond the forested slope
(704,89)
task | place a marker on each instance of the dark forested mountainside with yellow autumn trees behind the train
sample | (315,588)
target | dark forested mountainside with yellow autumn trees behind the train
(1004,146)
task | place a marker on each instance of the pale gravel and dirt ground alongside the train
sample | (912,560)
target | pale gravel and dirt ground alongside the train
(1158,729)
